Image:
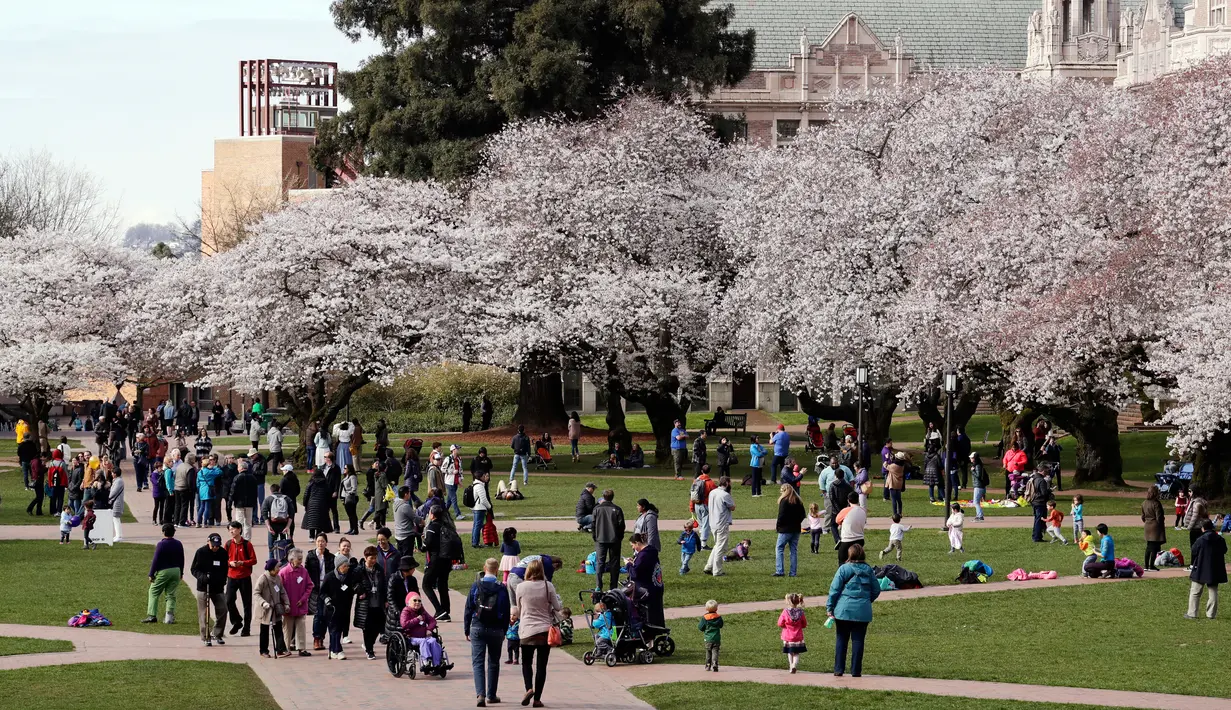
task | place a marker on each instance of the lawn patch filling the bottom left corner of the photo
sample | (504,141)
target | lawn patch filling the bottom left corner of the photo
(147,685)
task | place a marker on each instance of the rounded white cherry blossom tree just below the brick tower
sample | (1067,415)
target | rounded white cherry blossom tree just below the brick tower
(331,295)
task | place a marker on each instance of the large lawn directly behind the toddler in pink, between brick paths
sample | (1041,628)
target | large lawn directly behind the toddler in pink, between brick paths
(1052,637)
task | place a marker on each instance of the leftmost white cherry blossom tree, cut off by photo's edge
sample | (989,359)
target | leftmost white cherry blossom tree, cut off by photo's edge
(65,307)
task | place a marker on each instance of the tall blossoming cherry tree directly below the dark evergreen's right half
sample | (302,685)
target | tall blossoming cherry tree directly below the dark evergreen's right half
(617,266)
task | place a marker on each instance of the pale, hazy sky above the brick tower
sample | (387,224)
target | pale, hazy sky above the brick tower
(136,92)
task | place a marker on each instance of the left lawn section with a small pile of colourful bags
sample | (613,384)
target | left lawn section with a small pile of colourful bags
(113,580)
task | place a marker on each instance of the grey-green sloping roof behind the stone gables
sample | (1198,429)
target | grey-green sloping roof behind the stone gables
(940,34)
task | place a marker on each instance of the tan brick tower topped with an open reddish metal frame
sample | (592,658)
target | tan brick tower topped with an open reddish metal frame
(281,105)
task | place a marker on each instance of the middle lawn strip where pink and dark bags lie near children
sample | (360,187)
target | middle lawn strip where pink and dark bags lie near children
(926,553)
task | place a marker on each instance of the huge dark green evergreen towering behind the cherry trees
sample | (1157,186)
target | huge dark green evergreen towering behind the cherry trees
(455,72)
